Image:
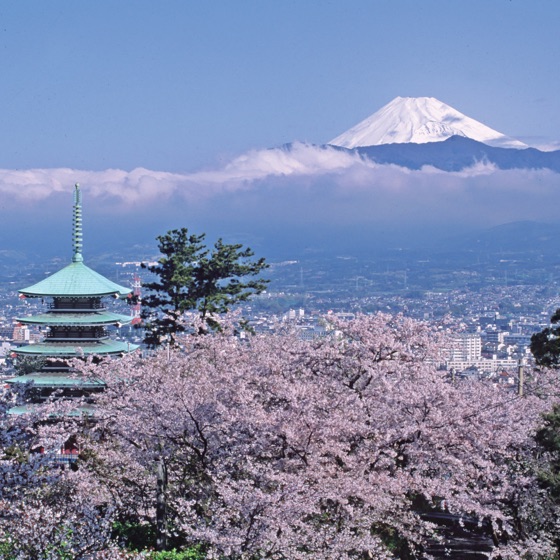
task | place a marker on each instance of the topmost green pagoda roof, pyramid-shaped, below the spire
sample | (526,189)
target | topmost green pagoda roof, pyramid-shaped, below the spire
(75,280)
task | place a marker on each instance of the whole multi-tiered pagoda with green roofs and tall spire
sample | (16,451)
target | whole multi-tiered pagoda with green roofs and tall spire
(76,319)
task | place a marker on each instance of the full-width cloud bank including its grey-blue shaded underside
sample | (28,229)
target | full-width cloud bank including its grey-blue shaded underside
(301,186)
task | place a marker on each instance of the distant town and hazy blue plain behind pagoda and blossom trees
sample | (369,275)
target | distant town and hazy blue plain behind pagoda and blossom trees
(491,307)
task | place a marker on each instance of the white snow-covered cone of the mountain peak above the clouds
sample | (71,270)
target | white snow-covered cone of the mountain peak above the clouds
(419,120)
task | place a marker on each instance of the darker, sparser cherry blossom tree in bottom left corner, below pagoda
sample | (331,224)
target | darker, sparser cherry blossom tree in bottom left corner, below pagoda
(46,511)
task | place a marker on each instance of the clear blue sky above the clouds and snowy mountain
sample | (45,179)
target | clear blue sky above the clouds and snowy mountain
(176,85)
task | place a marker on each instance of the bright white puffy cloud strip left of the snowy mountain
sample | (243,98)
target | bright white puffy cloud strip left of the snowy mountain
(142,186)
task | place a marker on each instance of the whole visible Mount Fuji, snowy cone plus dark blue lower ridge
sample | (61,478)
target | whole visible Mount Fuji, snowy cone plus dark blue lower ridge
(414,132)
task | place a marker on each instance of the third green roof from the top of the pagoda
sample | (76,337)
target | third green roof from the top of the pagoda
(74,349)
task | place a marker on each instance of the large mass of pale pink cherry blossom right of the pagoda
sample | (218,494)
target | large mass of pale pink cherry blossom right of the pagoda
(274,447)
